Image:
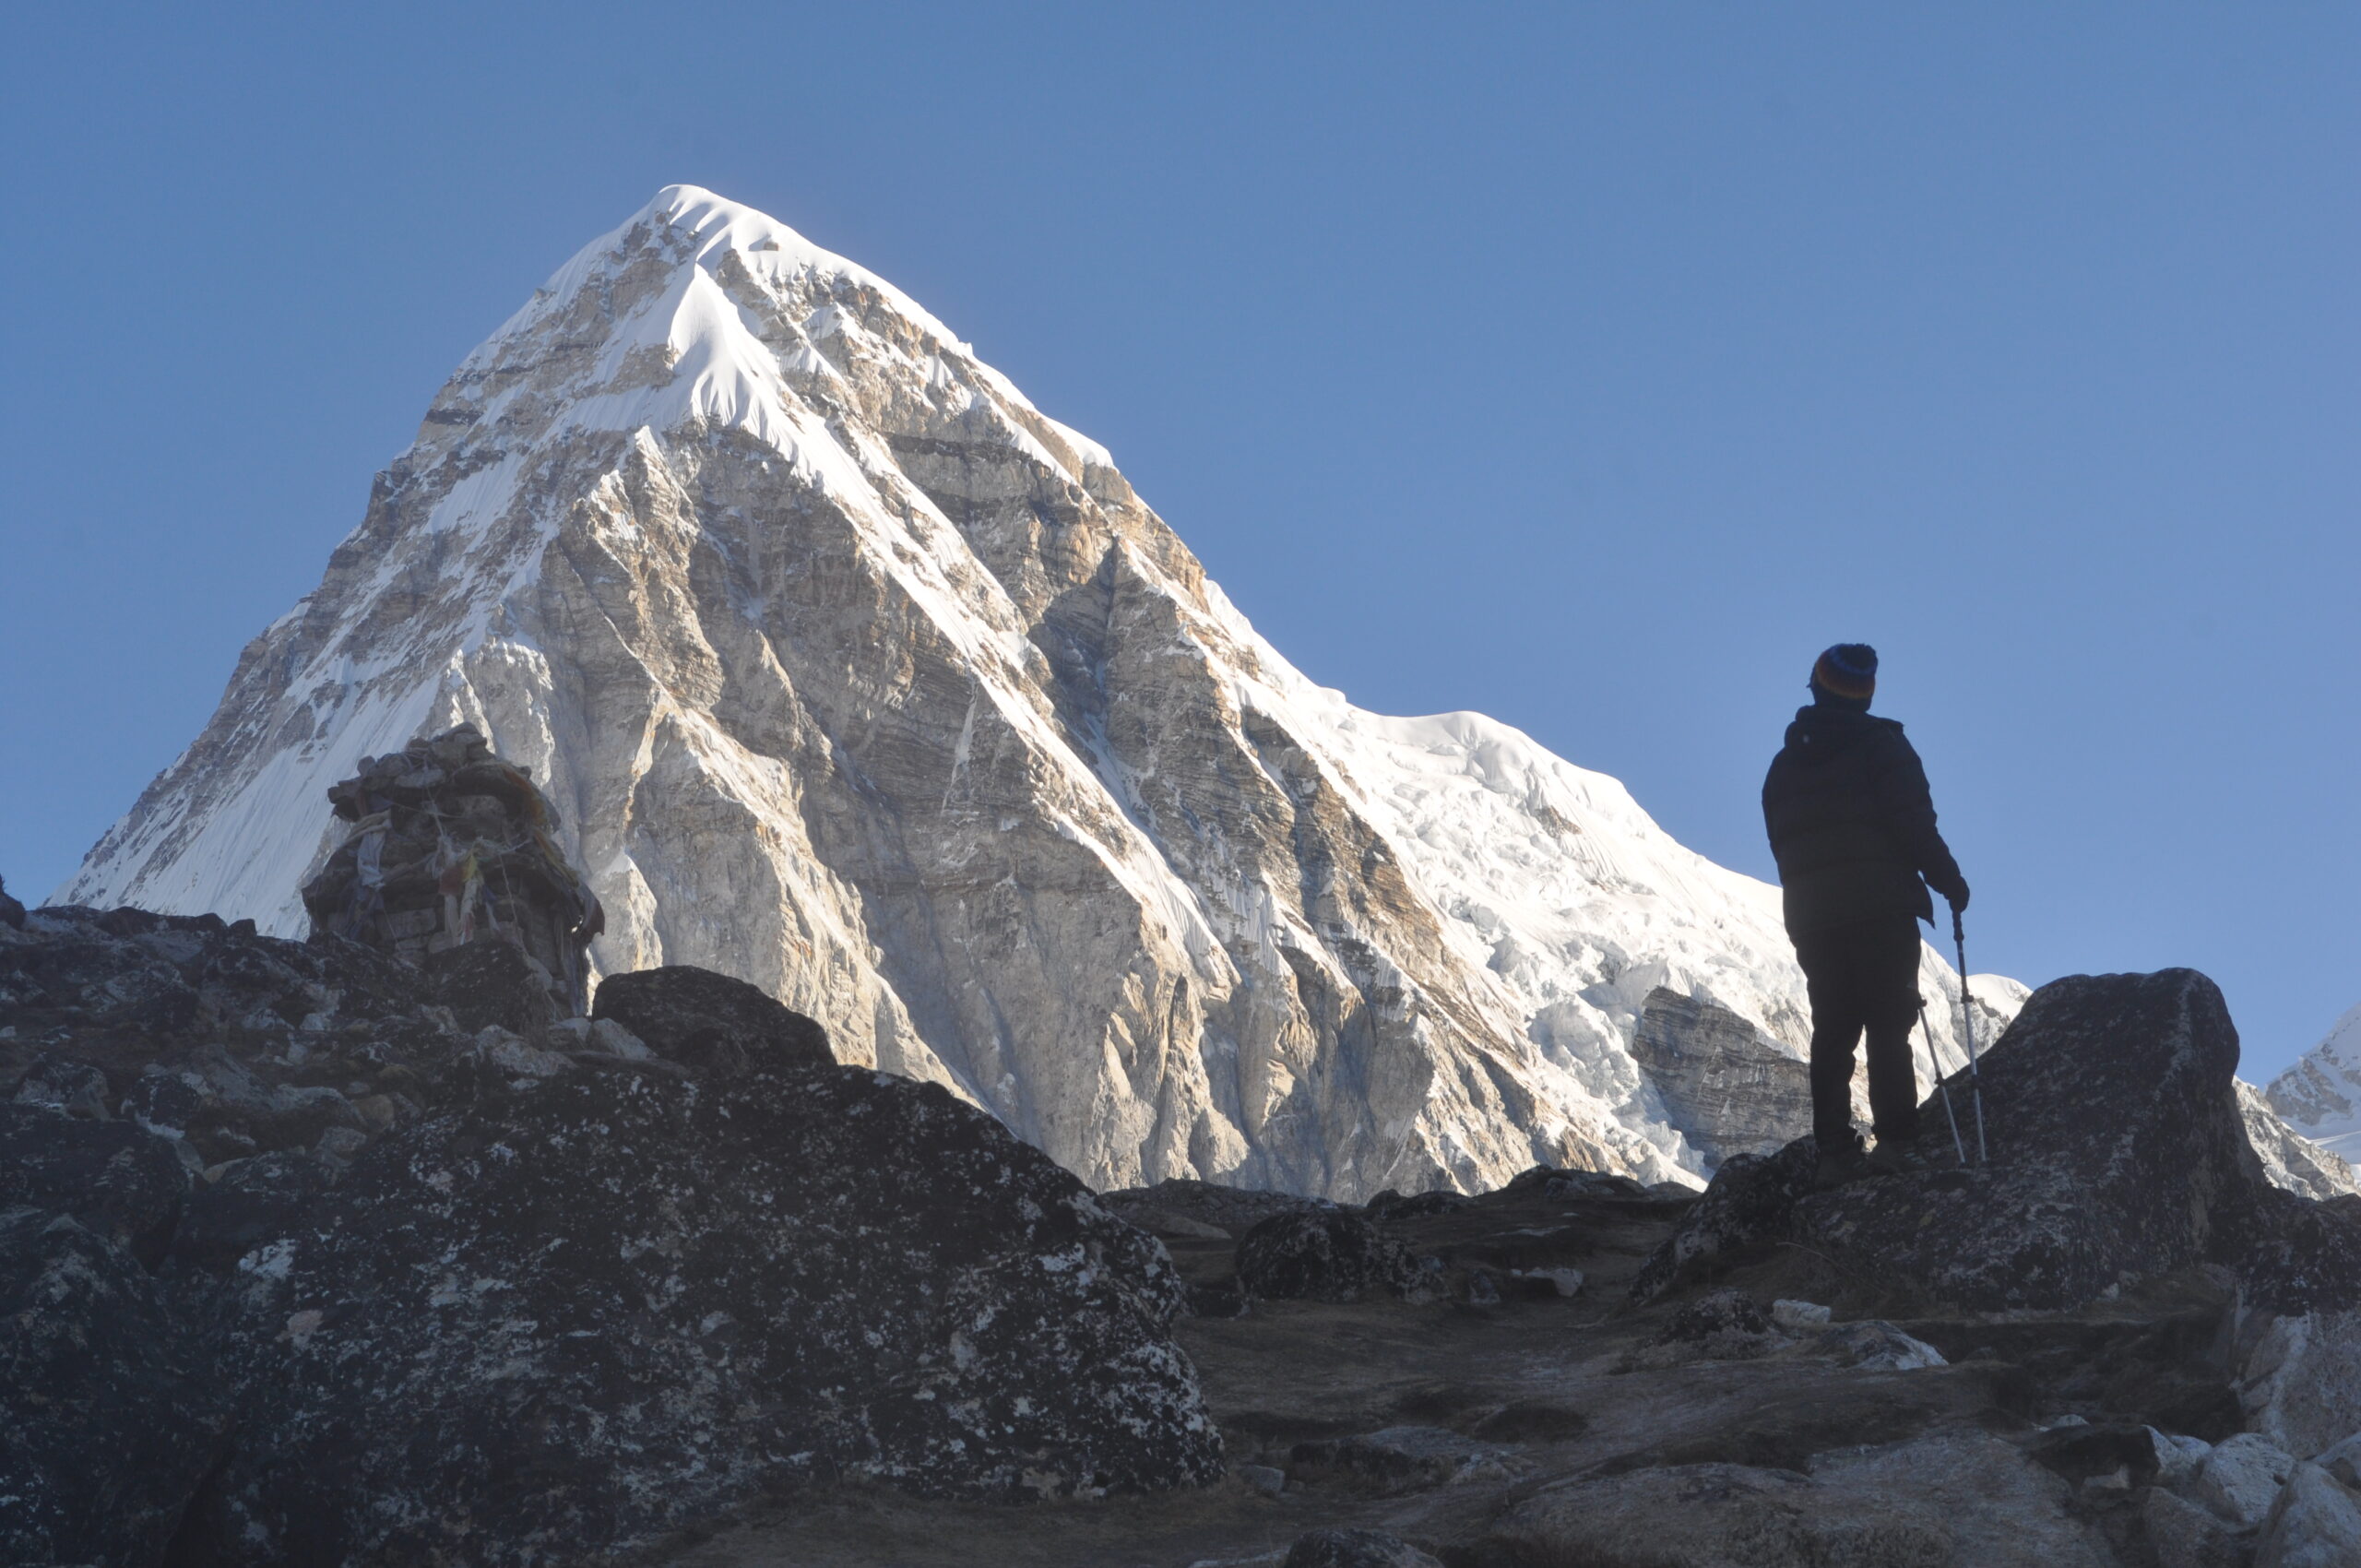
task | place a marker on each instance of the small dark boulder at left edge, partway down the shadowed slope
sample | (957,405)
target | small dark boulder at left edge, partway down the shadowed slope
(117,1180)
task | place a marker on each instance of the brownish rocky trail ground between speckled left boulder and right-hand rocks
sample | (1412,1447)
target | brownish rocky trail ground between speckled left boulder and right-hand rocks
(1500,1423)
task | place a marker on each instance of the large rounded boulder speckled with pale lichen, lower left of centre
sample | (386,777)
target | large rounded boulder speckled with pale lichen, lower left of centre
(629,1298)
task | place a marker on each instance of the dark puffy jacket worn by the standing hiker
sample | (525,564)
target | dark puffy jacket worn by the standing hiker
(1852,823)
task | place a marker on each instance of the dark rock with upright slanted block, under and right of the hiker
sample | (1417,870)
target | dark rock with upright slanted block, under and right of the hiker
(2119,1151)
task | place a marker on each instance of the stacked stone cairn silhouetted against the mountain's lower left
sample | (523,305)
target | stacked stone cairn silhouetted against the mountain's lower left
(454,847)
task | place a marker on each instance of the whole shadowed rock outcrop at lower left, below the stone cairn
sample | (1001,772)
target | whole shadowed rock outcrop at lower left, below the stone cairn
(306,1267)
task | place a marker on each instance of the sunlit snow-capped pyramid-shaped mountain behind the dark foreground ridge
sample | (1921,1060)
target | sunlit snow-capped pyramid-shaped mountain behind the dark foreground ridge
(863,681)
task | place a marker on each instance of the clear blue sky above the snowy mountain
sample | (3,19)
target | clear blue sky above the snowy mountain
(1585,365)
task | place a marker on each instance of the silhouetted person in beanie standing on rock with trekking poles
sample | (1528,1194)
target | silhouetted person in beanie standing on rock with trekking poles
(1852,828)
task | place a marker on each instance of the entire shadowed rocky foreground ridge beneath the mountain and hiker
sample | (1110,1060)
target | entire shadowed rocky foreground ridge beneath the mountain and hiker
(313,1257)
